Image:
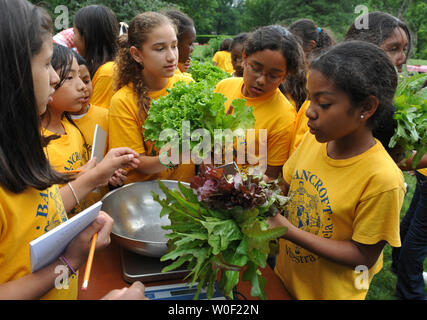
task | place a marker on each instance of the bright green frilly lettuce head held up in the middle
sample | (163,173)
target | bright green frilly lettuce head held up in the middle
(196,103)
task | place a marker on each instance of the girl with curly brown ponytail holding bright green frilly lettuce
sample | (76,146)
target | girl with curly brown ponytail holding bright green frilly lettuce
(147,61)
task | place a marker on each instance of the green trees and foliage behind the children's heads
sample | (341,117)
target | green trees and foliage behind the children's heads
(230,17)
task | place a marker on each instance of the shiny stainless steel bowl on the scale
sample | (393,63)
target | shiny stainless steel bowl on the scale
(137,222)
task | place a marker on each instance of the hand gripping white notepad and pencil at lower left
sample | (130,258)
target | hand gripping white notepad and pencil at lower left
(78,250)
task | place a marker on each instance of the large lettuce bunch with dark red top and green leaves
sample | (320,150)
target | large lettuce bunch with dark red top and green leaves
(219,229)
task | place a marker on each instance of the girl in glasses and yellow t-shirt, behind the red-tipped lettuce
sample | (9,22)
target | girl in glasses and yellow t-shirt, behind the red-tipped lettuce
(270,55)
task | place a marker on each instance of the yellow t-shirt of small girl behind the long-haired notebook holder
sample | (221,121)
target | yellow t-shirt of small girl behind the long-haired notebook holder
(68,152)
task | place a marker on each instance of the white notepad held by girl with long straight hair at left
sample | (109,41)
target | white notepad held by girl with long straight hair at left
(48,247)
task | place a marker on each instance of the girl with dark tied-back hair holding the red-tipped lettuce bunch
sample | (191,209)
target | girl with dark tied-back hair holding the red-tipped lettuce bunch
(346,192)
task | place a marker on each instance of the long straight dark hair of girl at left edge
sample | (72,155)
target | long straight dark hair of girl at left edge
(23,162)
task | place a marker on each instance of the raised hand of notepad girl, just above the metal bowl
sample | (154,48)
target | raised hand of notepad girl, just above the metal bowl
(118,158)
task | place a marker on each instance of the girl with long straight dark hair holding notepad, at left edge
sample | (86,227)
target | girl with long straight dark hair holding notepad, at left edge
(30,201)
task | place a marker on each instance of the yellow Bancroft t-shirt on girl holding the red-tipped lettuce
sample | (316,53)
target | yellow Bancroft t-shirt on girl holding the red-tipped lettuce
(351,199)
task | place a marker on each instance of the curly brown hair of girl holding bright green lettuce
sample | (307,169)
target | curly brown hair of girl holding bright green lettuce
(129,70)
